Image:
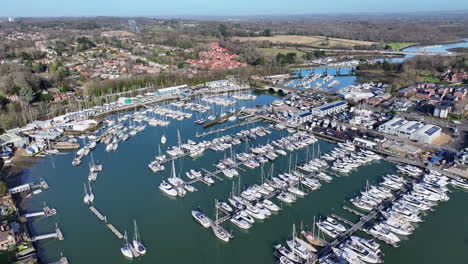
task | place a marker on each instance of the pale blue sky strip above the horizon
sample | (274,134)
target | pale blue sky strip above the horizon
(15,8)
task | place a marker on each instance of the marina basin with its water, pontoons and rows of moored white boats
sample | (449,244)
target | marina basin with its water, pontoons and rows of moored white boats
(227,173)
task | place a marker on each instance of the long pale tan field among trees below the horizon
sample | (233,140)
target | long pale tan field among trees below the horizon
(309,41)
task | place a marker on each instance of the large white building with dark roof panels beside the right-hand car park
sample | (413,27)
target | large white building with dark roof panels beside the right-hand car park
(413,130)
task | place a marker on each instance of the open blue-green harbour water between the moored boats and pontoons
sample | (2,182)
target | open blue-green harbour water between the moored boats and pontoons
(127,190)
